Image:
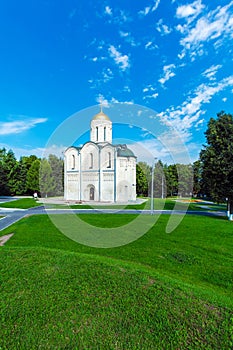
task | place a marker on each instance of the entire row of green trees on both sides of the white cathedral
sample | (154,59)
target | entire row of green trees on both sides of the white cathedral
(211,176)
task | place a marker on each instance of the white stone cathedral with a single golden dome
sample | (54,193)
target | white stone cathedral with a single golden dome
(100,171)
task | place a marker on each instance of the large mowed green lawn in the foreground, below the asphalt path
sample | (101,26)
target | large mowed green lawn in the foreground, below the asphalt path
(163,291)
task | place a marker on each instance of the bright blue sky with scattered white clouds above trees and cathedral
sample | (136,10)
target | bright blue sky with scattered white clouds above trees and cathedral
(60,57)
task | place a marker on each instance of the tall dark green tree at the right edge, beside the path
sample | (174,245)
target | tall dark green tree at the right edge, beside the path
(217,159)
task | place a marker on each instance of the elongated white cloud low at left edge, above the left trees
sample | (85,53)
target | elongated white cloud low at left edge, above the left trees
(19,126)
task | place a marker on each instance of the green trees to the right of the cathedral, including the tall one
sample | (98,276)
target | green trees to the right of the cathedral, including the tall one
(211,176)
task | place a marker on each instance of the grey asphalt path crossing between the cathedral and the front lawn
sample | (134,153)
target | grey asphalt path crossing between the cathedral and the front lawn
(10,216)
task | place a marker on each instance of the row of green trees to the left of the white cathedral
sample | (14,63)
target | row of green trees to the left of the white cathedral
(30,174)
